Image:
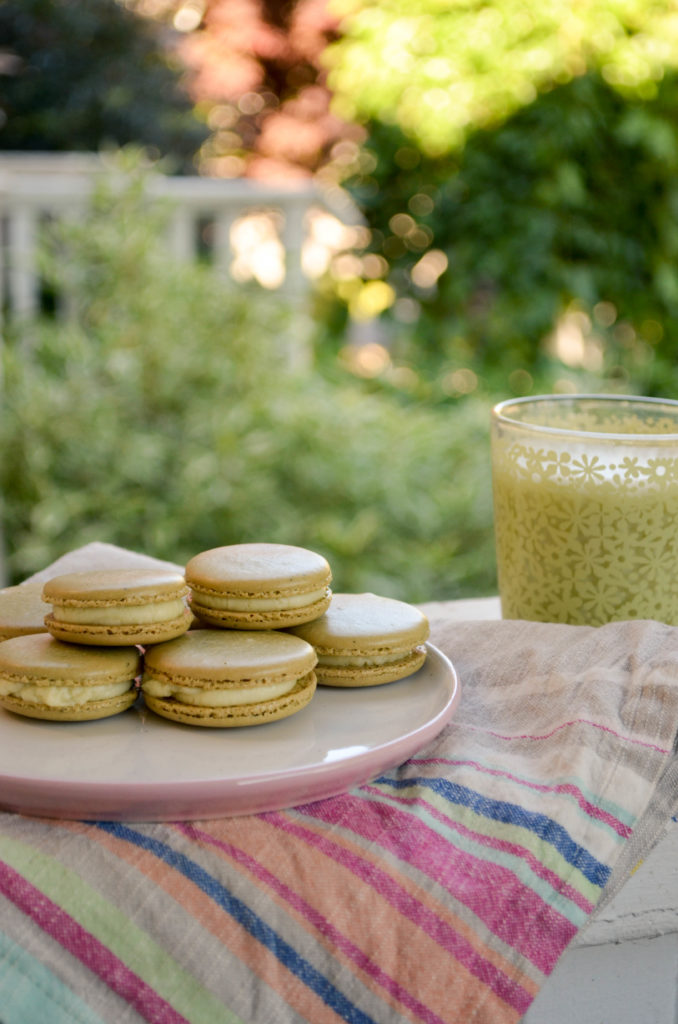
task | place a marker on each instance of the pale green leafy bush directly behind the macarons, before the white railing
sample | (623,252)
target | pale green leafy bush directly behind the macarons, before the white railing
(166,416)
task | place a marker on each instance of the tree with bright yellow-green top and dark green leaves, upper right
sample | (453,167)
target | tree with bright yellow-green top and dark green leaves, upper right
(520,182)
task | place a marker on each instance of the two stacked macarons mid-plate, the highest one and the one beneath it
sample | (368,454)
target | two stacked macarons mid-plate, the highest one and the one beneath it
(240,668)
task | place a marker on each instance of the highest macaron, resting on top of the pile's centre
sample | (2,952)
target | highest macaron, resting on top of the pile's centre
(259,586)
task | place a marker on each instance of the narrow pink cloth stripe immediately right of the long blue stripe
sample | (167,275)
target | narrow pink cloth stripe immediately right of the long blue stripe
(319,921)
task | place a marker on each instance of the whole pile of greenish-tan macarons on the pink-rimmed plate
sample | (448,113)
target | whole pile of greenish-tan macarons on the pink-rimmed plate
(243,637)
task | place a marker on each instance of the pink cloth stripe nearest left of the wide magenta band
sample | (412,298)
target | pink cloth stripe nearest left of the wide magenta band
(506,989)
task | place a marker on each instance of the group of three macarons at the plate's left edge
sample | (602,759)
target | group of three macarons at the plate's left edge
(71,651)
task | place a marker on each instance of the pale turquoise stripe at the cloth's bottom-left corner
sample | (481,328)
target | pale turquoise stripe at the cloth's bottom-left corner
(29,992)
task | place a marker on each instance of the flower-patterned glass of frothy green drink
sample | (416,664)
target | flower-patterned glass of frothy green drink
(586,508)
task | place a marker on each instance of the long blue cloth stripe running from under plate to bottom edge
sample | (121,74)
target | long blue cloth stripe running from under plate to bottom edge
(241,913)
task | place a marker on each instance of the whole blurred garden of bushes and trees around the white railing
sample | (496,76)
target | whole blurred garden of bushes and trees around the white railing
(515,165)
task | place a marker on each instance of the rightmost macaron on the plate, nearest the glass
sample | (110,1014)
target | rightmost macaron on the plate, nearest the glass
(367,641)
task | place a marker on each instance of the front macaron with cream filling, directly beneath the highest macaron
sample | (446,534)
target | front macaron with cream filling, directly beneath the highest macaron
(230,677)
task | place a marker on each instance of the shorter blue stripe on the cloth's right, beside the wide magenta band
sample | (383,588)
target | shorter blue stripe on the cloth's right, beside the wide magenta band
(500,810)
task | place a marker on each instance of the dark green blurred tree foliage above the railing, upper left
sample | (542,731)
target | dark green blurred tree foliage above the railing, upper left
(86,76)
